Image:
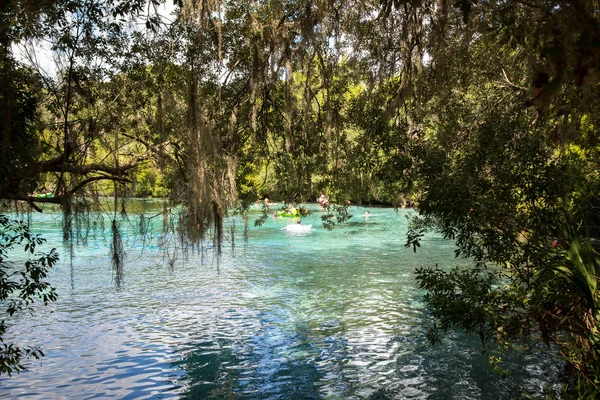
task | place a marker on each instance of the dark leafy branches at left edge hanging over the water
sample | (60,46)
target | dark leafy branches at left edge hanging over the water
(21,286)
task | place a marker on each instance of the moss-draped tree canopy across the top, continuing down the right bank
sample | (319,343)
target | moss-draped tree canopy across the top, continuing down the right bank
(483,114)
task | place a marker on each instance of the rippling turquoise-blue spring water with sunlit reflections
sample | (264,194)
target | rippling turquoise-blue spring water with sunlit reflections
(325,314)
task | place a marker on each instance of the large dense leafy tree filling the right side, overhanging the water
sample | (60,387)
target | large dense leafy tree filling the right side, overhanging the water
(505,165)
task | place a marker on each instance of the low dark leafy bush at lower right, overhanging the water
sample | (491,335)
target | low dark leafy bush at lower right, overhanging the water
(558,305)
